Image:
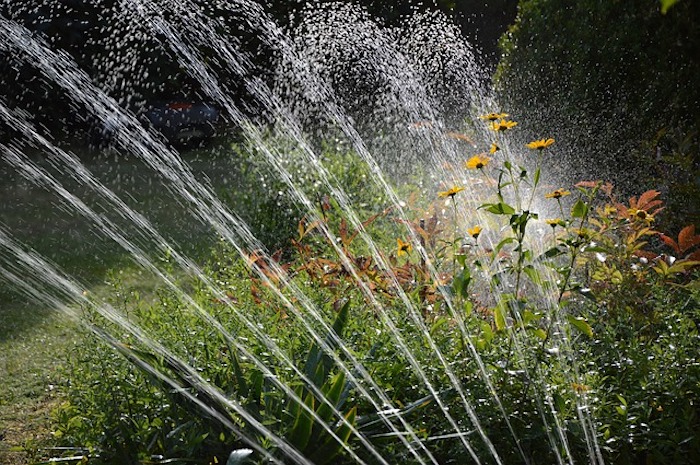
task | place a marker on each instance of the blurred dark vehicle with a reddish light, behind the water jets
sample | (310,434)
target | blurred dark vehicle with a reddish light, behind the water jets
(181,123)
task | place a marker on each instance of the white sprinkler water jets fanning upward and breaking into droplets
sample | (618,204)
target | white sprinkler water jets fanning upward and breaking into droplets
(307,88)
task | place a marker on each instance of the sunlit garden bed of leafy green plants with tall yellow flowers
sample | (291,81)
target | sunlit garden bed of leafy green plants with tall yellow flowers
(596,332)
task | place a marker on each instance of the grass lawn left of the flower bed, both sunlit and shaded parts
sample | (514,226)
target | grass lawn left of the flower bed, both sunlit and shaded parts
(35,340)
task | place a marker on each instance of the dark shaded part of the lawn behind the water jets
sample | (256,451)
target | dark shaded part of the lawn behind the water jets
(41,221)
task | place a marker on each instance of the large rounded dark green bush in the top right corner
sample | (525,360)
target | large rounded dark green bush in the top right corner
(618,82)
